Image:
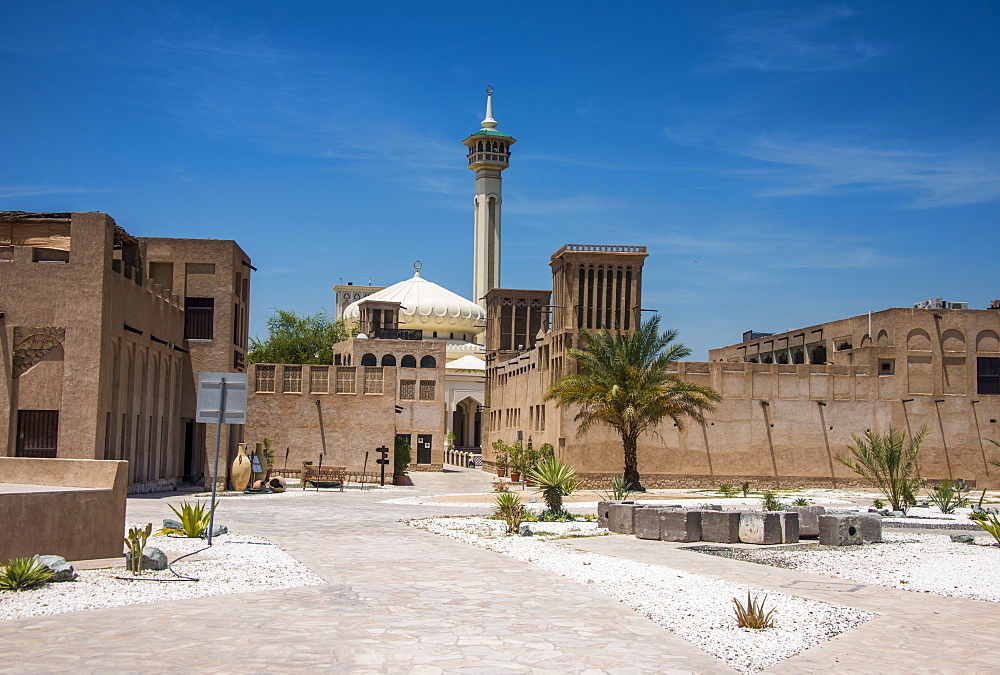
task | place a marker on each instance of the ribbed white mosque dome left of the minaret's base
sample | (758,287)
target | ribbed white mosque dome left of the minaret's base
(428,307)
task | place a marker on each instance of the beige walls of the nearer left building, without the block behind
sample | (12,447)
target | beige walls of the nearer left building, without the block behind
(65,329)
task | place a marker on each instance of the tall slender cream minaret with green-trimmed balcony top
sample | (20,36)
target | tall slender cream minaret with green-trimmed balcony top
(489,154)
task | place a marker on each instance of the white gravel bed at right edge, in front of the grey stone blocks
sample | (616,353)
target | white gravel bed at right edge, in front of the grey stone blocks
(927,563)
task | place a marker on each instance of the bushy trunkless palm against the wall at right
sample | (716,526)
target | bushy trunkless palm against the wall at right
(889,461)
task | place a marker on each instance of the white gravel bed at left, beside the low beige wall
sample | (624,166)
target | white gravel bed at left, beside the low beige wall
(235,563)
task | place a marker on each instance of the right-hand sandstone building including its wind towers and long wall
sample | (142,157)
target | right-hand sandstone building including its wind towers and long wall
(791,401)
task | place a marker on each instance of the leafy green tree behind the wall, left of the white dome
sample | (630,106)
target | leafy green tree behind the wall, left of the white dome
(298,339)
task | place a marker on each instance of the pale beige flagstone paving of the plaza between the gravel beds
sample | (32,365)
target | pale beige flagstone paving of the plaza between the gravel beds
(401,600)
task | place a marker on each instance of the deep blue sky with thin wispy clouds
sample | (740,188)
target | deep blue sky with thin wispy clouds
(785,163)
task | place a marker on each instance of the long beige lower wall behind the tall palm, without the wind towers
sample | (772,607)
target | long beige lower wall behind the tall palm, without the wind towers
(792,437)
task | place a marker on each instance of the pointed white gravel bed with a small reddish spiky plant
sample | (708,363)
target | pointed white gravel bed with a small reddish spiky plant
(697,608)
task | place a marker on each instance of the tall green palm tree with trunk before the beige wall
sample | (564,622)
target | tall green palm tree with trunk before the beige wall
(623,383)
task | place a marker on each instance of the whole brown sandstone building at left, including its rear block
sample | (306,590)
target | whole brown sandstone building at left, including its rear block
(104,334)
